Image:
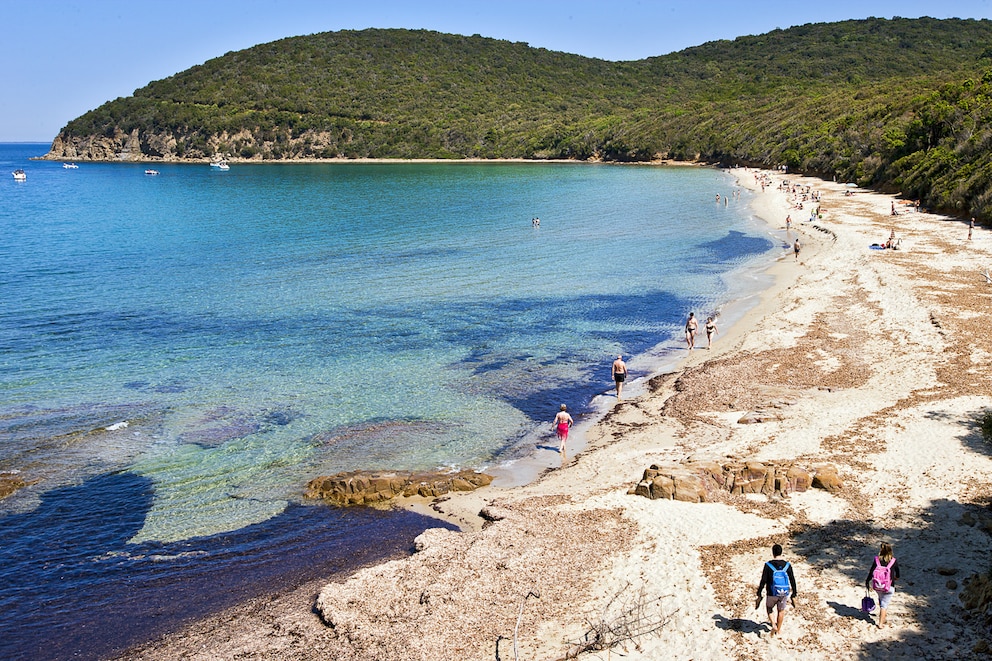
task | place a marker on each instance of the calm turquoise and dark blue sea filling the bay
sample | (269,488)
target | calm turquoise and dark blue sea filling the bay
(258,327)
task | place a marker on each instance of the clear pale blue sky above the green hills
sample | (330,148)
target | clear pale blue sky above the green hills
(64,57)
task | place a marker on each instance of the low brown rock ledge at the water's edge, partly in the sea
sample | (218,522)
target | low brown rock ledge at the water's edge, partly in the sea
(363,488)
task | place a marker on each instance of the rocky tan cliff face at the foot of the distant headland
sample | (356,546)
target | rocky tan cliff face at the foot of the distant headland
(138,146)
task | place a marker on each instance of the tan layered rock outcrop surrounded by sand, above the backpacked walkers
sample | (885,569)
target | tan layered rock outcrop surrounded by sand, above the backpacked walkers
(703,481)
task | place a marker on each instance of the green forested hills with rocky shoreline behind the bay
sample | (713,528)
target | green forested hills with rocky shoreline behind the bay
(901,104)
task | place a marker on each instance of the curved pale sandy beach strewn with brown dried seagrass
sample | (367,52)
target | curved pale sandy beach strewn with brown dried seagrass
(876,362)
